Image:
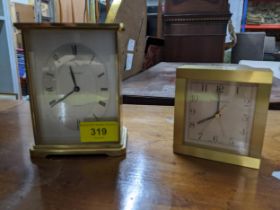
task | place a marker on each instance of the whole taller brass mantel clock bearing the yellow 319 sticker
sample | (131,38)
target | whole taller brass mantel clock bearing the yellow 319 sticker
(74,88)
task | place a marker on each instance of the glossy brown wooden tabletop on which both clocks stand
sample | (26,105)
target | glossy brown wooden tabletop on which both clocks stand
(149,177)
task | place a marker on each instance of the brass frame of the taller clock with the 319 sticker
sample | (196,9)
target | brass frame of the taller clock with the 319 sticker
(114,148)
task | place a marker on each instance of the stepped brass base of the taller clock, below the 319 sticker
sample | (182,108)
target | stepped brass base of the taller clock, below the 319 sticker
(93,149)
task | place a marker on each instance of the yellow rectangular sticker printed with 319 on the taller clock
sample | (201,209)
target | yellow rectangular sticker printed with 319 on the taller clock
(99,131)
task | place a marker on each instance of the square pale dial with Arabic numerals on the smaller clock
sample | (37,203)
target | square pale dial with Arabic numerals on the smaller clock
(220,115)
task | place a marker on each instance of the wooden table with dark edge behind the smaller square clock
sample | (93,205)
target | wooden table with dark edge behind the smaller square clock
(159,82)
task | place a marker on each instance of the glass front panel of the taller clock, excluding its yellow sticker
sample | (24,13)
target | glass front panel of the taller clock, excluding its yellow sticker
(75,77)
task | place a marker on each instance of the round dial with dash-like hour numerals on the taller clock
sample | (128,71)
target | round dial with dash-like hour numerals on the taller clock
(75,84)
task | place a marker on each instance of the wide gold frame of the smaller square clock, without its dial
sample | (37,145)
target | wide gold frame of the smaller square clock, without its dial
(227,73)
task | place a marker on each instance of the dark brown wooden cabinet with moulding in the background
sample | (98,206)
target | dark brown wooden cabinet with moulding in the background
(195,32)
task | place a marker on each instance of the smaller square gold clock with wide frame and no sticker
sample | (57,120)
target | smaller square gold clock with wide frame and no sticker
(220,112)
